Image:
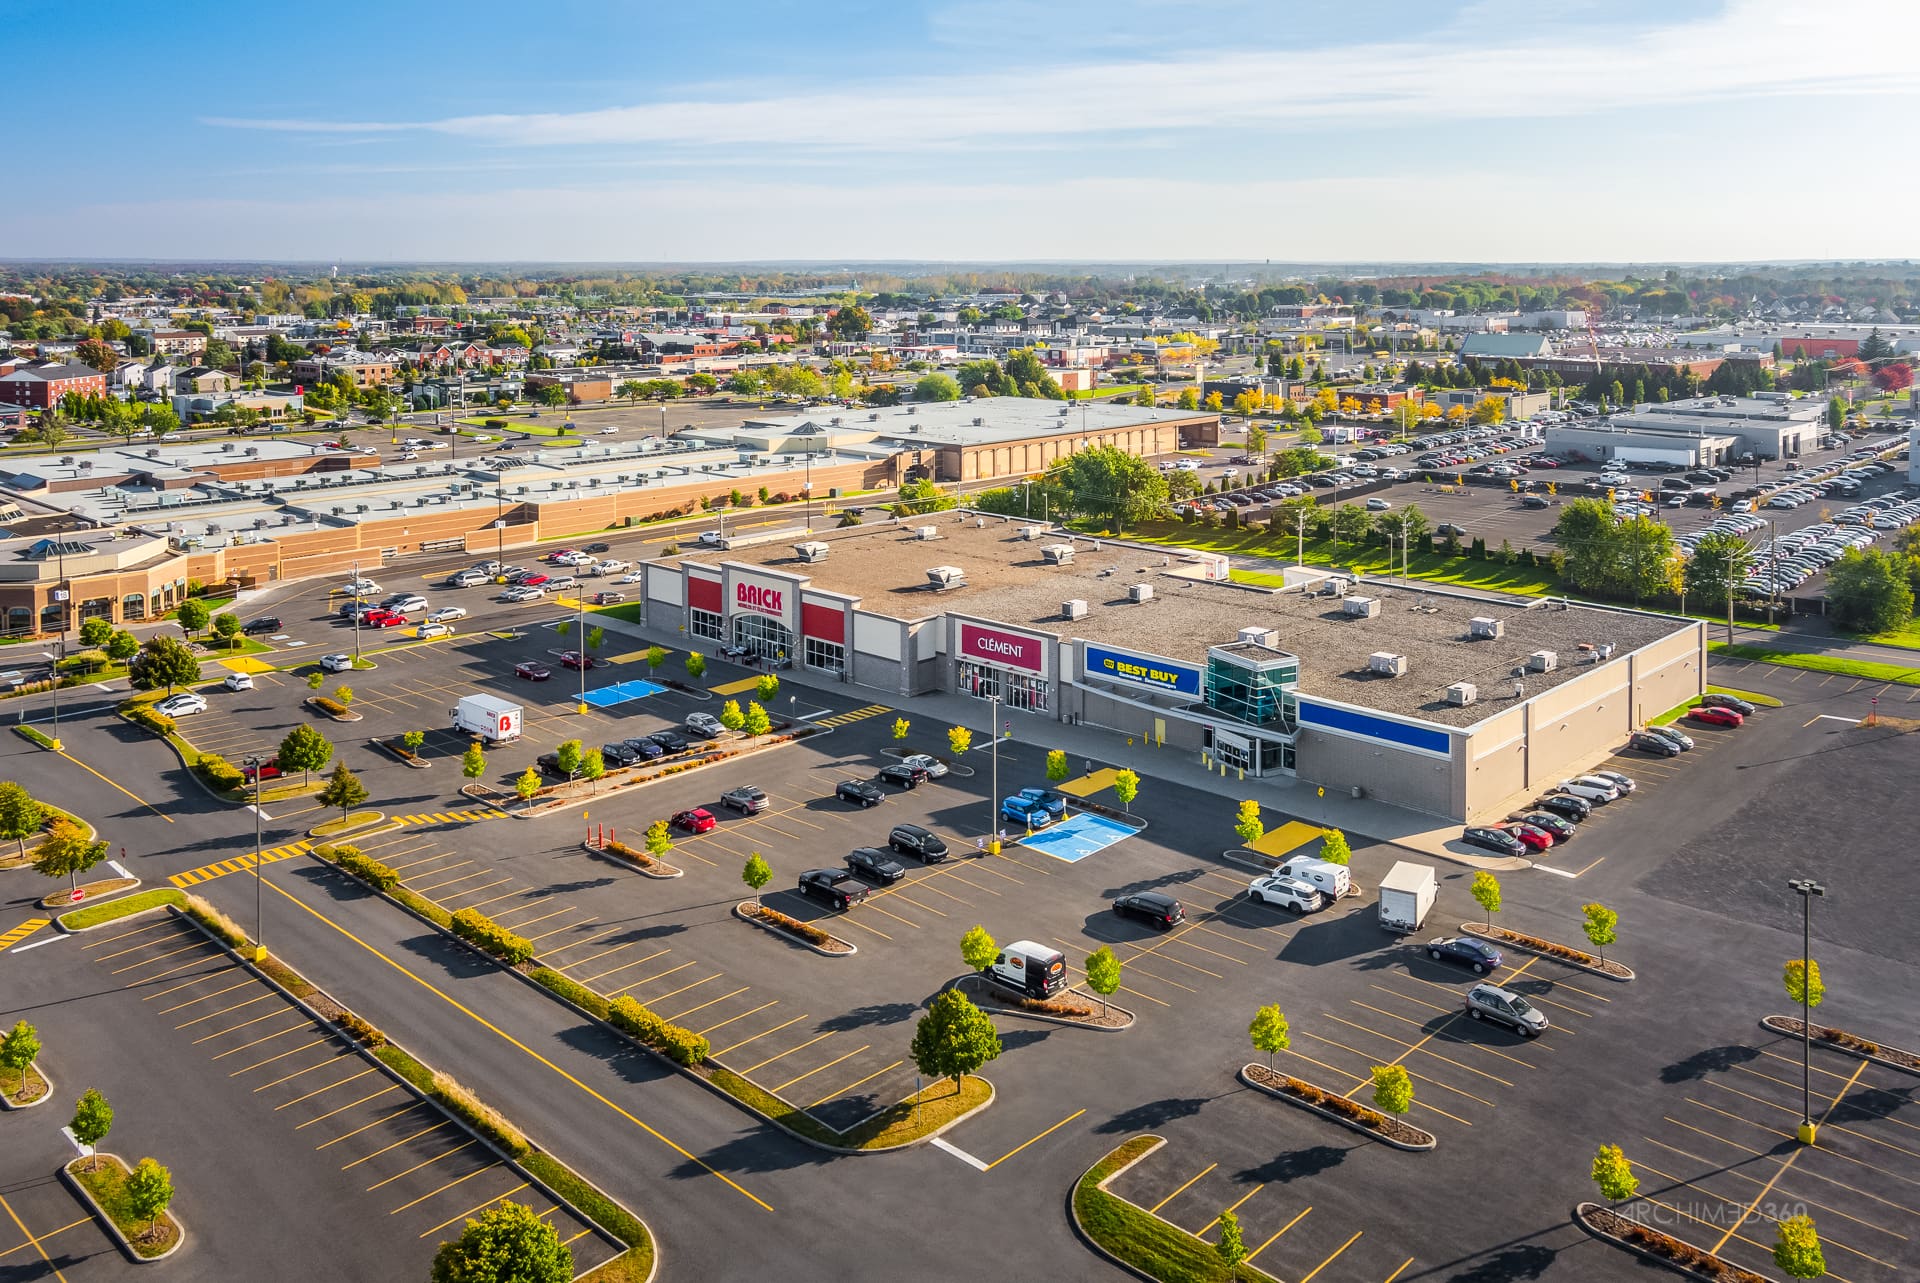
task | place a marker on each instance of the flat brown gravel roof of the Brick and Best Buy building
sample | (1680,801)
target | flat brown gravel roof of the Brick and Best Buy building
(1011,581)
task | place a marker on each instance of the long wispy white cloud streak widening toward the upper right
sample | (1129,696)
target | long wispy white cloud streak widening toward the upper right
(1477,74)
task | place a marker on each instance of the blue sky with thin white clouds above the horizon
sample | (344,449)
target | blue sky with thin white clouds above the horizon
(980,130)
